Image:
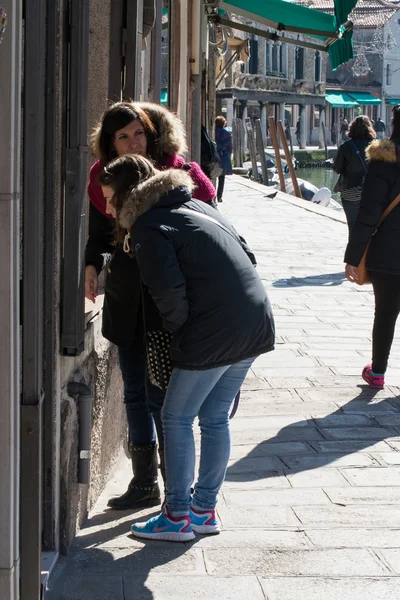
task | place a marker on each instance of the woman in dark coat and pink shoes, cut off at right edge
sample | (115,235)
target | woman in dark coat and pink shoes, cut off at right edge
(381,187)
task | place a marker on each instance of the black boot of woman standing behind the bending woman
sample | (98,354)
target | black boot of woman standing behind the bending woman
(143,489)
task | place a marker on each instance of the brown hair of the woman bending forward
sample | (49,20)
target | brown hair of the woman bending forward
(123,174)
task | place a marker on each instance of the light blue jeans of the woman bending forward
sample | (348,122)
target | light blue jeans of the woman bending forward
(208,395)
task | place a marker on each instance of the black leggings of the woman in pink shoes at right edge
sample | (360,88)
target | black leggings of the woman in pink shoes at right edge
(387,309)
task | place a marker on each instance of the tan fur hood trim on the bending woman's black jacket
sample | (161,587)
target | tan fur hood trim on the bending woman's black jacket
(147,194)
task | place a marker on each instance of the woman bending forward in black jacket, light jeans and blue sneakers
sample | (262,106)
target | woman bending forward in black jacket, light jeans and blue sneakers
(201,276)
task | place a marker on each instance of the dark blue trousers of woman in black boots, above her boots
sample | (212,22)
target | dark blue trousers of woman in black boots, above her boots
(143,400)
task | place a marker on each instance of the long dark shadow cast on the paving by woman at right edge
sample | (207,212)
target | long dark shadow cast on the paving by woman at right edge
(302,461)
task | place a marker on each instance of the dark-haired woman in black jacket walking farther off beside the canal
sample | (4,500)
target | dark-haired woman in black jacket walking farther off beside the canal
(350,164)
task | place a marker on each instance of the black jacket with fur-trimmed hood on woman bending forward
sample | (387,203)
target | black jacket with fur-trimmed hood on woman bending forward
(200,276)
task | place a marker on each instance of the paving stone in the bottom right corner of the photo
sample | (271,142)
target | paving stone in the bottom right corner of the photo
(309,588)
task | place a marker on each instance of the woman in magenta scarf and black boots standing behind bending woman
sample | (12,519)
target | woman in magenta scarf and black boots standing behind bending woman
(149,130)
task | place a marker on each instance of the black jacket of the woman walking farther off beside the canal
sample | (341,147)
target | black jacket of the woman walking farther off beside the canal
(348,164)
